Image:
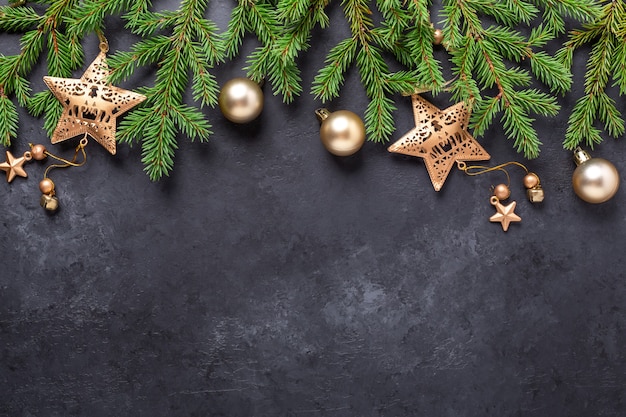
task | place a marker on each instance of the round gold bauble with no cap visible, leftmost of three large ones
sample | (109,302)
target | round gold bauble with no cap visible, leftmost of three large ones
(241,100)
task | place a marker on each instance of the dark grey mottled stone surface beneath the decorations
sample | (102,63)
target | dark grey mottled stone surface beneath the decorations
(266,277)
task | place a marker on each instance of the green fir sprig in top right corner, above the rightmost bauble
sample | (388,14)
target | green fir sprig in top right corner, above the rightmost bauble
(607,60)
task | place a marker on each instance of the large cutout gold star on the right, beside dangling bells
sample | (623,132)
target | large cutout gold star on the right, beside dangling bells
(441,138)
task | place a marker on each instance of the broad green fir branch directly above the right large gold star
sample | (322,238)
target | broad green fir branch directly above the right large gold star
(482,58)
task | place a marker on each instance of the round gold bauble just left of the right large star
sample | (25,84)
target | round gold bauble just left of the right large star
(342,132)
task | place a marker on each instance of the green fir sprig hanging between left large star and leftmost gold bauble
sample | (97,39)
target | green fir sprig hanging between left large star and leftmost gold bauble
(191,48)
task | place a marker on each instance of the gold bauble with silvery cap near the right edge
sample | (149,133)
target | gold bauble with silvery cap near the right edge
(595,180)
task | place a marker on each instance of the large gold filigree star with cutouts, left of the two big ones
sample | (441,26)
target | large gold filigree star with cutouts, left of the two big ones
(90,105)
